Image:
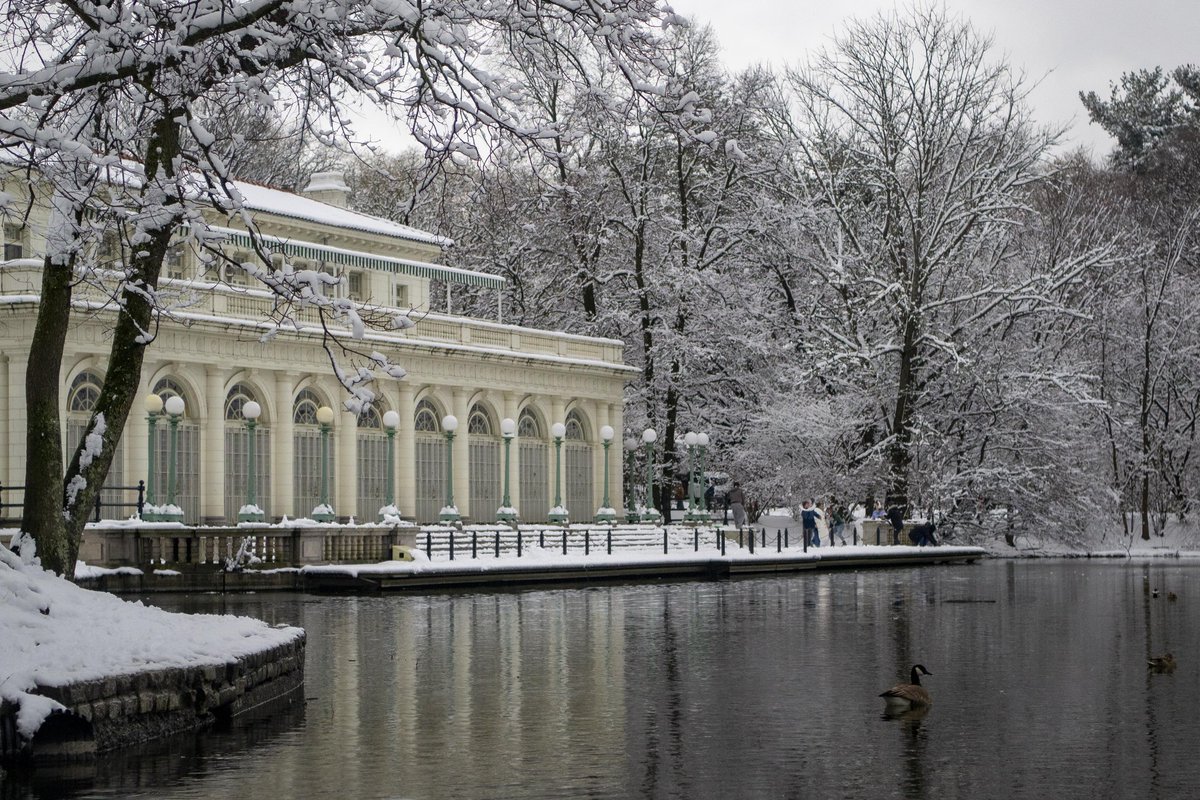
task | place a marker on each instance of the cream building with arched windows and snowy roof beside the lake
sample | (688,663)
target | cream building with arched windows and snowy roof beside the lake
(212,352)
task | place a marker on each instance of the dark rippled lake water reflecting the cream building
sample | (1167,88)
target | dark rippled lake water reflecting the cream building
(763,688)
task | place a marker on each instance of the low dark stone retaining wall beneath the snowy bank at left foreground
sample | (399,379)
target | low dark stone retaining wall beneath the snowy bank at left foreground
(110,713)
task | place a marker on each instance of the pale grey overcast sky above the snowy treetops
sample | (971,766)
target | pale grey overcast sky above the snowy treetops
(1069,45)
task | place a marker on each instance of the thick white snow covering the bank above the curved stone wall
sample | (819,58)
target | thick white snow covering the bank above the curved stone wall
(55,634)
